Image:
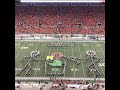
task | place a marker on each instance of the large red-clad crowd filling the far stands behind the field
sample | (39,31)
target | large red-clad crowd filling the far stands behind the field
(60,19)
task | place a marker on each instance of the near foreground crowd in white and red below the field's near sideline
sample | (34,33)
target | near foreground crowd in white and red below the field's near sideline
(61,85)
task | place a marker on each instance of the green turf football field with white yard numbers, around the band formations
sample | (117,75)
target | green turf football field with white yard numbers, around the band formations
(23,48)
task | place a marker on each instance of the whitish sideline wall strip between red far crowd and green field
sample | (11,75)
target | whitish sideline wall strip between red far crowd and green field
(57,37)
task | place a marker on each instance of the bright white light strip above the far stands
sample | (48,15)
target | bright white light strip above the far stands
(91,1)
